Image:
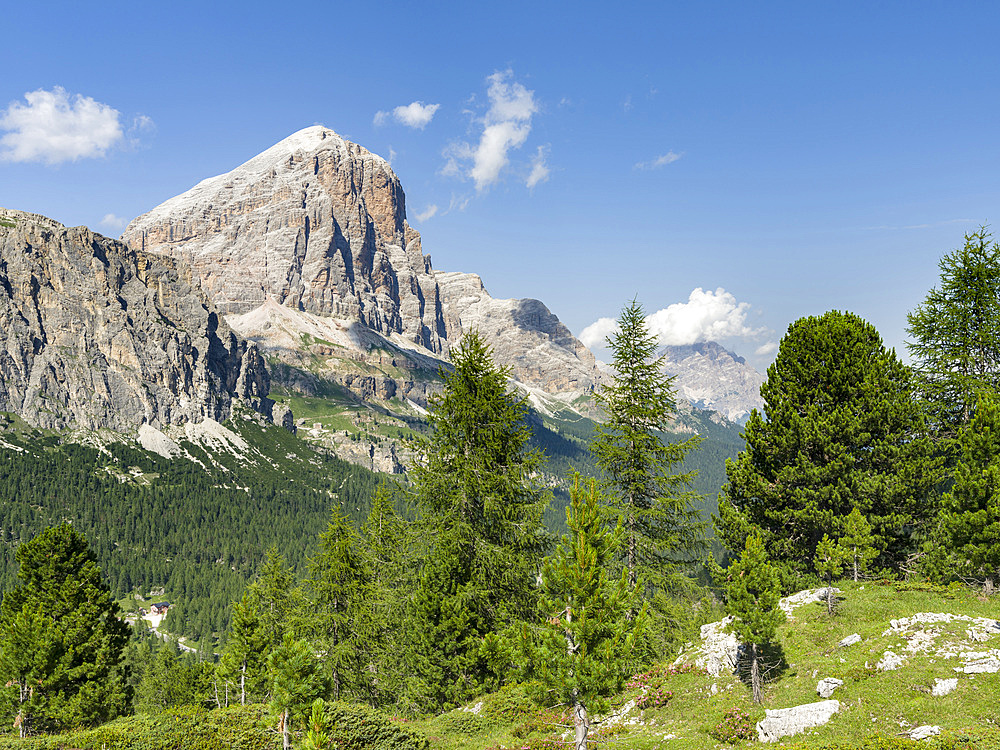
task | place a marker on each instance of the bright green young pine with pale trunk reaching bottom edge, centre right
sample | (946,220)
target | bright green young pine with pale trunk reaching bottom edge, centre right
(587,636)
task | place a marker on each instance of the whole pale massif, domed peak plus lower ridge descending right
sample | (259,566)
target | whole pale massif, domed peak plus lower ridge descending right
(316,225)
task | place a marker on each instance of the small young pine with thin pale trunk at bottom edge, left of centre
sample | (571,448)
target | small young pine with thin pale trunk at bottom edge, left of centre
(295,682)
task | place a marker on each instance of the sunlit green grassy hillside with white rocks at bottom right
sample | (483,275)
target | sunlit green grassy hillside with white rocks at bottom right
(876,707)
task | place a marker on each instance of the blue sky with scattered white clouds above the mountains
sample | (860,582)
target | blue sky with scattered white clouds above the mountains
(783,158)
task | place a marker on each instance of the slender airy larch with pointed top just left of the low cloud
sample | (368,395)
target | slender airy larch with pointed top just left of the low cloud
(661,527)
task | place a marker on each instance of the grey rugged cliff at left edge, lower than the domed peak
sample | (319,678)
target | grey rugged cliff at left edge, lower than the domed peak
(96,335)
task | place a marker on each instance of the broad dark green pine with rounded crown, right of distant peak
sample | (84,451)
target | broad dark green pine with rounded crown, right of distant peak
(840,430)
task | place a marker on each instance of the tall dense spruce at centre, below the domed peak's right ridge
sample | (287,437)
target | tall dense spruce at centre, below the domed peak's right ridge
(477,487)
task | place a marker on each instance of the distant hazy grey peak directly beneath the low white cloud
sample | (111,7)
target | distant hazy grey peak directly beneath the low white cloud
(712,377)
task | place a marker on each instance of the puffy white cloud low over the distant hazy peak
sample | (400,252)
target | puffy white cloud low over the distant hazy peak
(706,316)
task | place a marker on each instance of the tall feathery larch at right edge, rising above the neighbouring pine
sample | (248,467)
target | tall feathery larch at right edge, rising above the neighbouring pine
(955,334)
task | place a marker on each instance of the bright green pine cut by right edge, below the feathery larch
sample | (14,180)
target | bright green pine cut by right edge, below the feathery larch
(967,541)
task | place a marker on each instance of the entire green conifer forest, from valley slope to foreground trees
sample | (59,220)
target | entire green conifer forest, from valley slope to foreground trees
(340,601)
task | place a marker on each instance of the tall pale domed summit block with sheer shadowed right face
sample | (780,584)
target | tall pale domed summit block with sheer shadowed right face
(315,222)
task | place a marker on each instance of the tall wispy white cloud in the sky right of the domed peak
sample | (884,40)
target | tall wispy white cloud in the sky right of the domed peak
(506,126)
